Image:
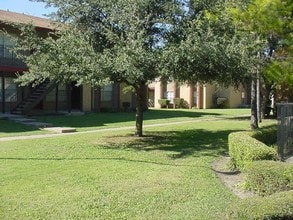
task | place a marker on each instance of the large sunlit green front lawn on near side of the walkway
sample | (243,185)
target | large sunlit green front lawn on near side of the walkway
(113,175)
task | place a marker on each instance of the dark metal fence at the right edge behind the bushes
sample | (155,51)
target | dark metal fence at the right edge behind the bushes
(285,129)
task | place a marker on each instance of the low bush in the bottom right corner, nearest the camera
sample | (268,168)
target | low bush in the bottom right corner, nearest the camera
(276,206)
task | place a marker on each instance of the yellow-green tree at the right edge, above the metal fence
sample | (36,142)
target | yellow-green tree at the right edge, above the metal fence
(271,23)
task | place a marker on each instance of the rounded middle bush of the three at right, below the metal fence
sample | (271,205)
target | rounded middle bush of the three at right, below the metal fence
(268,177)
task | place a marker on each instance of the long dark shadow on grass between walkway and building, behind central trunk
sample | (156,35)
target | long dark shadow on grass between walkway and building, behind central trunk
(102,119)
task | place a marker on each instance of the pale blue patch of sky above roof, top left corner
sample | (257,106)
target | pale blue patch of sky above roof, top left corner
(25,6)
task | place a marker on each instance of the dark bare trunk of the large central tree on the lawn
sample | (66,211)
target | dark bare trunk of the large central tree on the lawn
(140,106)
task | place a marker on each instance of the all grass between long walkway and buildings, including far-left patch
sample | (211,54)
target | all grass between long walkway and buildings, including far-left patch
(95,121)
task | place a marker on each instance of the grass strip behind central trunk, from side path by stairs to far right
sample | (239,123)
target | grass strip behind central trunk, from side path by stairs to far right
(95,121)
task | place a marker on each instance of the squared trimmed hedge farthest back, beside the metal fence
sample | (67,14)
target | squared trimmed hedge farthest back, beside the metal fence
(243,149)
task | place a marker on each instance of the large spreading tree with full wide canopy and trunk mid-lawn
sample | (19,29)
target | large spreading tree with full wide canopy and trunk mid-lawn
(137,41)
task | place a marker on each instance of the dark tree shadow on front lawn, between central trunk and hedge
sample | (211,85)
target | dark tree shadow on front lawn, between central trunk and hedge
(180,144)
